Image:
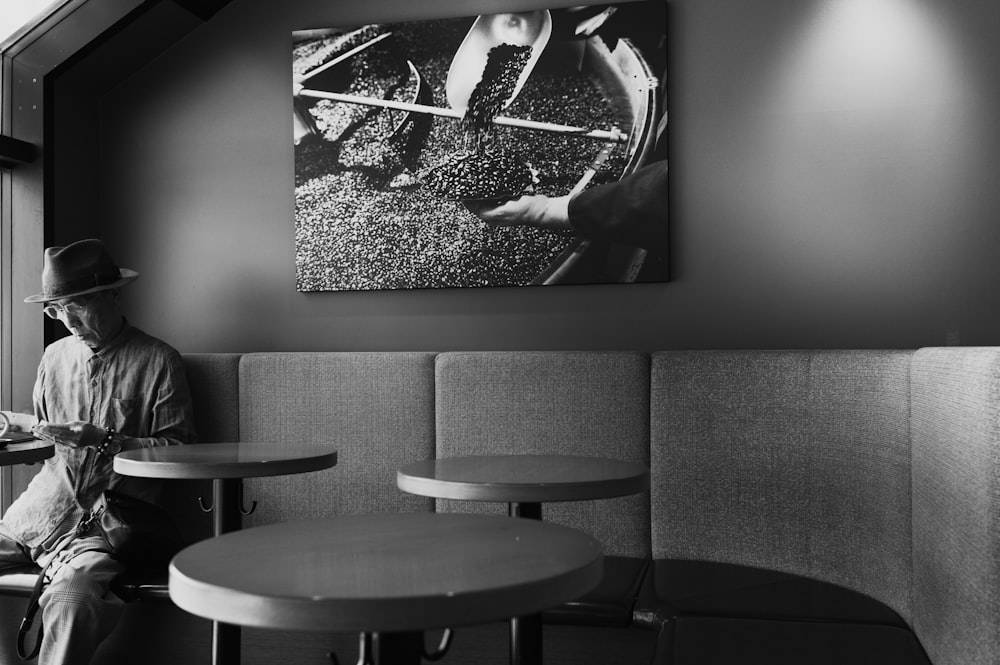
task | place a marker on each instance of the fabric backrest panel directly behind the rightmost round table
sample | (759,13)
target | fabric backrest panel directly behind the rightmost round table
(578,403)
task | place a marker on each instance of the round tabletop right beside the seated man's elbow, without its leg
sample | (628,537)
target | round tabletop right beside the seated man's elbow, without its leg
(225,460)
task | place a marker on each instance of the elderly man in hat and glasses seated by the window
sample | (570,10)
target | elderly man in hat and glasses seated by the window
(106,387)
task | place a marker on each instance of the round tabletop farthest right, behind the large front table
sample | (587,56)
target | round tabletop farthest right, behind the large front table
(523,478)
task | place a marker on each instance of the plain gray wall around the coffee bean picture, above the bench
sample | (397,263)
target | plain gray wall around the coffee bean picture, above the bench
(833,185)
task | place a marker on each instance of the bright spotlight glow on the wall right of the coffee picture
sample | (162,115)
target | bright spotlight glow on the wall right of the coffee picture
(867,129)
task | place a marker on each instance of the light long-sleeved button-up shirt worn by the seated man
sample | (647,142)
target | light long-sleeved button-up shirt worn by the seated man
(136,385)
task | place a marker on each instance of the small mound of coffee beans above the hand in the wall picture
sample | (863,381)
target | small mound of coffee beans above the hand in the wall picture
(479,175)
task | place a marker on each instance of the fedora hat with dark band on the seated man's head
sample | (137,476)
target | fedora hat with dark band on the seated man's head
(77,269)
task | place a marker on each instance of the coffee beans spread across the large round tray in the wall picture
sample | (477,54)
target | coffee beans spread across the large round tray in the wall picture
(363,221)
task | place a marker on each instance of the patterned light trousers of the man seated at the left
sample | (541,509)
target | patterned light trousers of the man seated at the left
(77,608)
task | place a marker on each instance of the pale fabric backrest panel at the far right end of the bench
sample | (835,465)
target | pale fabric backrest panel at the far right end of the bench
(956,503)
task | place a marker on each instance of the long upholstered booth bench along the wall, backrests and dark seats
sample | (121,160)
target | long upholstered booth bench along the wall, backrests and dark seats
(822,507)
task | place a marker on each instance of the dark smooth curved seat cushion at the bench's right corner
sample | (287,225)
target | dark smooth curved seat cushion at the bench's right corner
(720,614)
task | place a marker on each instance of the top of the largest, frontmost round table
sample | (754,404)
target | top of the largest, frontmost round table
(384,572)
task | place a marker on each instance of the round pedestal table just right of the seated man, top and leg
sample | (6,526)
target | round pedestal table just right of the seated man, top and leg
(226,464)
